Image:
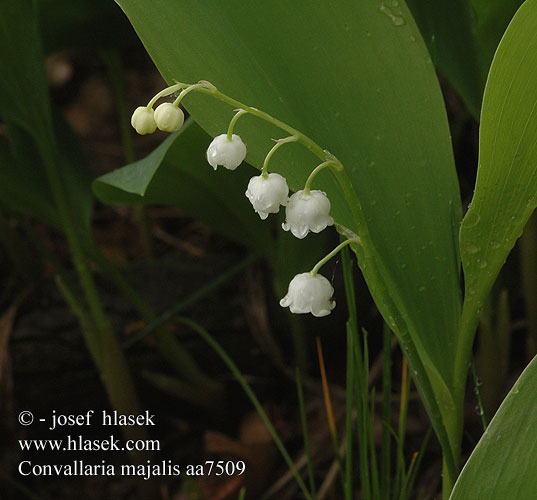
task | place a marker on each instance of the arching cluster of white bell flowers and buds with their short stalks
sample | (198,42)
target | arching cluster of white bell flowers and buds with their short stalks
(305,211)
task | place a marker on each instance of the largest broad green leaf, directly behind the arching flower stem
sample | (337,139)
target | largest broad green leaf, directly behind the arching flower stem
(356,77)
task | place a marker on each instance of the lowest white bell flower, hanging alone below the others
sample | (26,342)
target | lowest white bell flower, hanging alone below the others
(309,294)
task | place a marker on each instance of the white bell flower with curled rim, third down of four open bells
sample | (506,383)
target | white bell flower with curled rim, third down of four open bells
(307,212)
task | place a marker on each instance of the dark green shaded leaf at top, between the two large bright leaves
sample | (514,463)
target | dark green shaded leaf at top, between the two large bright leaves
(461,57)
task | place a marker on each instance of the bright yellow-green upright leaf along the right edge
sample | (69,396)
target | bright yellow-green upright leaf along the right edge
(506,187)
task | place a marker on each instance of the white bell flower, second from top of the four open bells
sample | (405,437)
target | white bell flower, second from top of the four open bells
(266,194)
